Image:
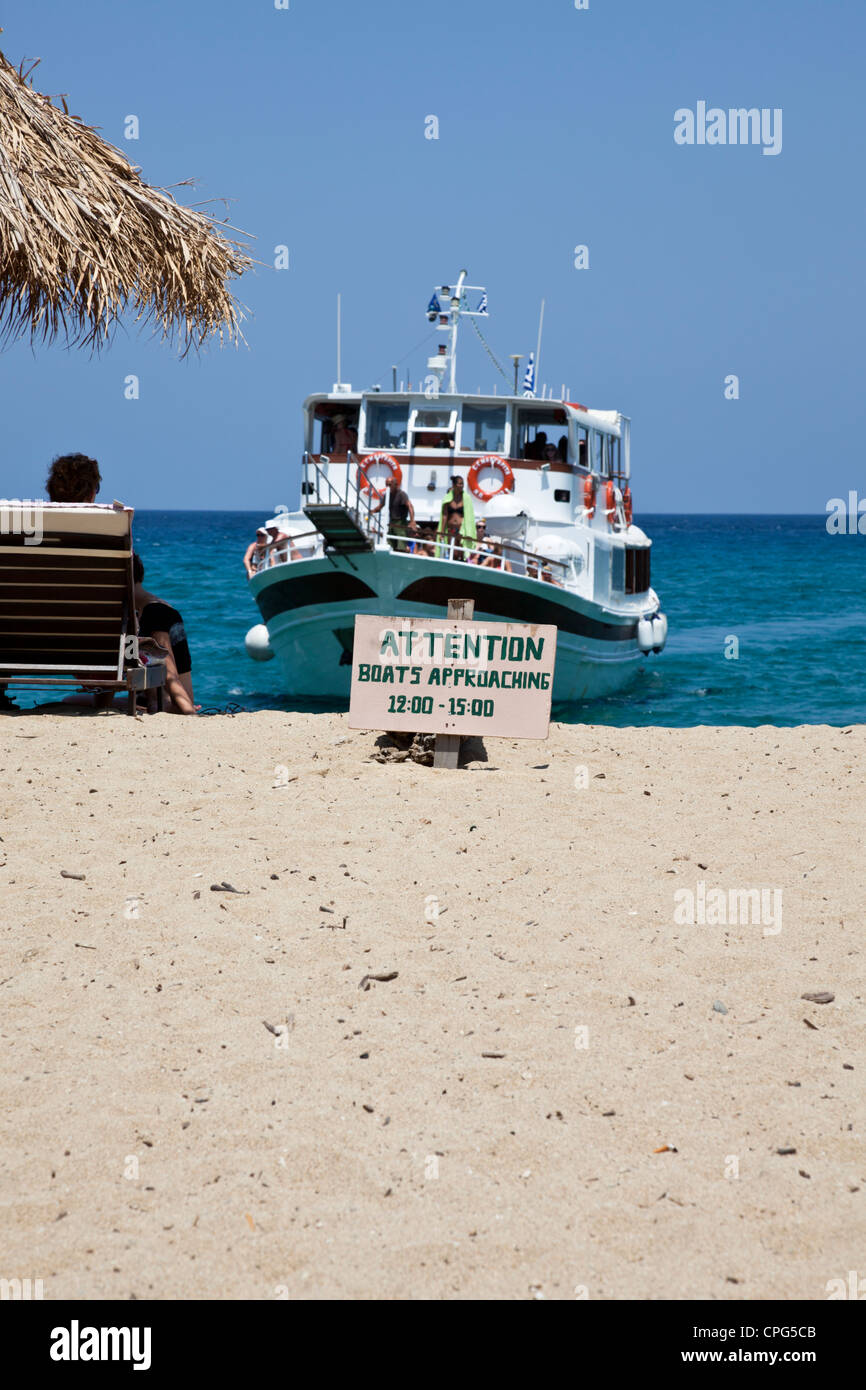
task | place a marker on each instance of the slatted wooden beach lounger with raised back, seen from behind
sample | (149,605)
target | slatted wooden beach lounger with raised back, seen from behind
(67,611)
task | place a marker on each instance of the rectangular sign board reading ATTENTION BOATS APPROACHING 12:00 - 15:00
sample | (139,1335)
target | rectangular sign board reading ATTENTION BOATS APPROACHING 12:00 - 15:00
(443,676)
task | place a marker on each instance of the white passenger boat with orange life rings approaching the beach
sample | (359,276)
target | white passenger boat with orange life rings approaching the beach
(548,477)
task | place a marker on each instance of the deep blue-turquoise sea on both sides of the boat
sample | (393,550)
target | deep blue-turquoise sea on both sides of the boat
(792,596)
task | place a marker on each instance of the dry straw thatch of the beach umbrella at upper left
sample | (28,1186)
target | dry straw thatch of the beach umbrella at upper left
(84,240)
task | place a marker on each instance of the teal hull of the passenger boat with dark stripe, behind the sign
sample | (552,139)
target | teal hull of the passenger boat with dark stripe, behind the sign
(309,608)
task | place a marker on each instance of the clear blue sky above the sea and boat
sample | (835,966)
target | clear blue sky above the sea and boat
(555,130)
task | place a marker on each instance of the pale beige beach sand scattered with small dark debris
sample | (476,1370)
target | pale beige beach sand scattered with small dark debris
(486,1125)
